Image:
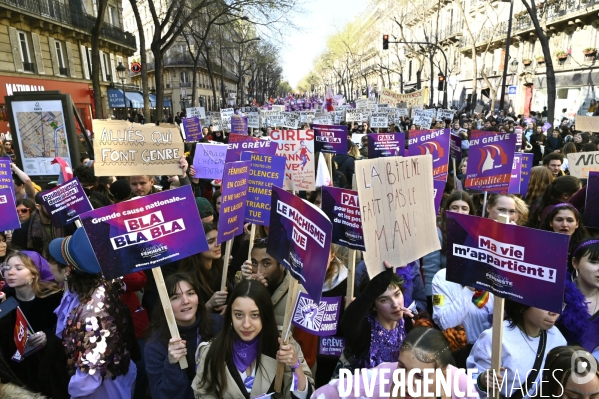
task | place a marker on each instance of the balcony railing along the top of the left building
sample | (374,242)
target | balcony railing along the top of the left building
(72,15)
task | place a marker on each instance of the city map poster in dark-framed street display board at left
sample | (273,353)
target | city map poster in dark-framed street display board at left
(41,133)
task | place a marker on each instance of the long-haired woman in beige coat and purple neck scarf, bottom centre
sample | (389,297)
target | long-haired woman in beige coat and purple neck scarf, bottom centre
(241,362)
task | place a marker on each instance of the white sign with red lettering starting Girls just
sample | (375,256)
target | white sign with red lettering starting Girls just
(297,146)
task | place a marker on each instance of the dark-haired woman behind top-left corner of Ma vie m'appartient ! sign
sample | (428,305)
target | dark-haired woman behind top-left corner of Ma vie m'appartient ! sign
(459,202)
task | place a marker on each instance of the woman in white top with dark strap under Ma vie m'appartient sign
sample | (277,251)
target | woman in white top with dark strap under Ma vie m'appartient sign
(528,335)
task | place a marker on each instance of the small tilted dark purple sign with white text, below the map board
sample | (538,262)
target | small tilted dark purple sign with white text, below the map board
(65,202)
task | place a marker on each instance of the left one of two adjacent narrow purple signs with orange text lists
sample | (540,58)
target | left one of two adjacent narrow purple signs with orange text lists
(233,200)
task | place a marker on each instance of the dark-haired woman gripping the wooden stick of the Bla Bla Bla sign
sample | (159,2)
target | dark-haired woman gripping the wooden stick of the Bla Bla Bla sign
(162,353)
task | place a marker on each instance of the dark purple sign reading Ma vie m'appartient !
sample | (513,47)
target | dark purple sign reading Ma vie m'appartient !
(522,264)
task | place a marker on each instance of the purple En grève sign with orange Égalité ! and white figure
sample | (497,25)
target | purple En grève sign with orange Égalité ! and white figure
(490,161)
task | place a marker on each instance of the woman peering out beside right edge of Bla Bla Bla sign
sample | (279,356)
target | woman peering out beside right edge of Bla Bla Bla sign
(207,267)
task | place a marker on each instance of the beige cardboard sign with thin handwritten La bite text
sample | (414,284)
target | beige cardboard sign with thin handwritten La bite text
(397,206)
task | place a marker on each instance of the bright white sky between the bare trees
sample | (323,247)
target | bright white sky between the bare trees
(321,19)
